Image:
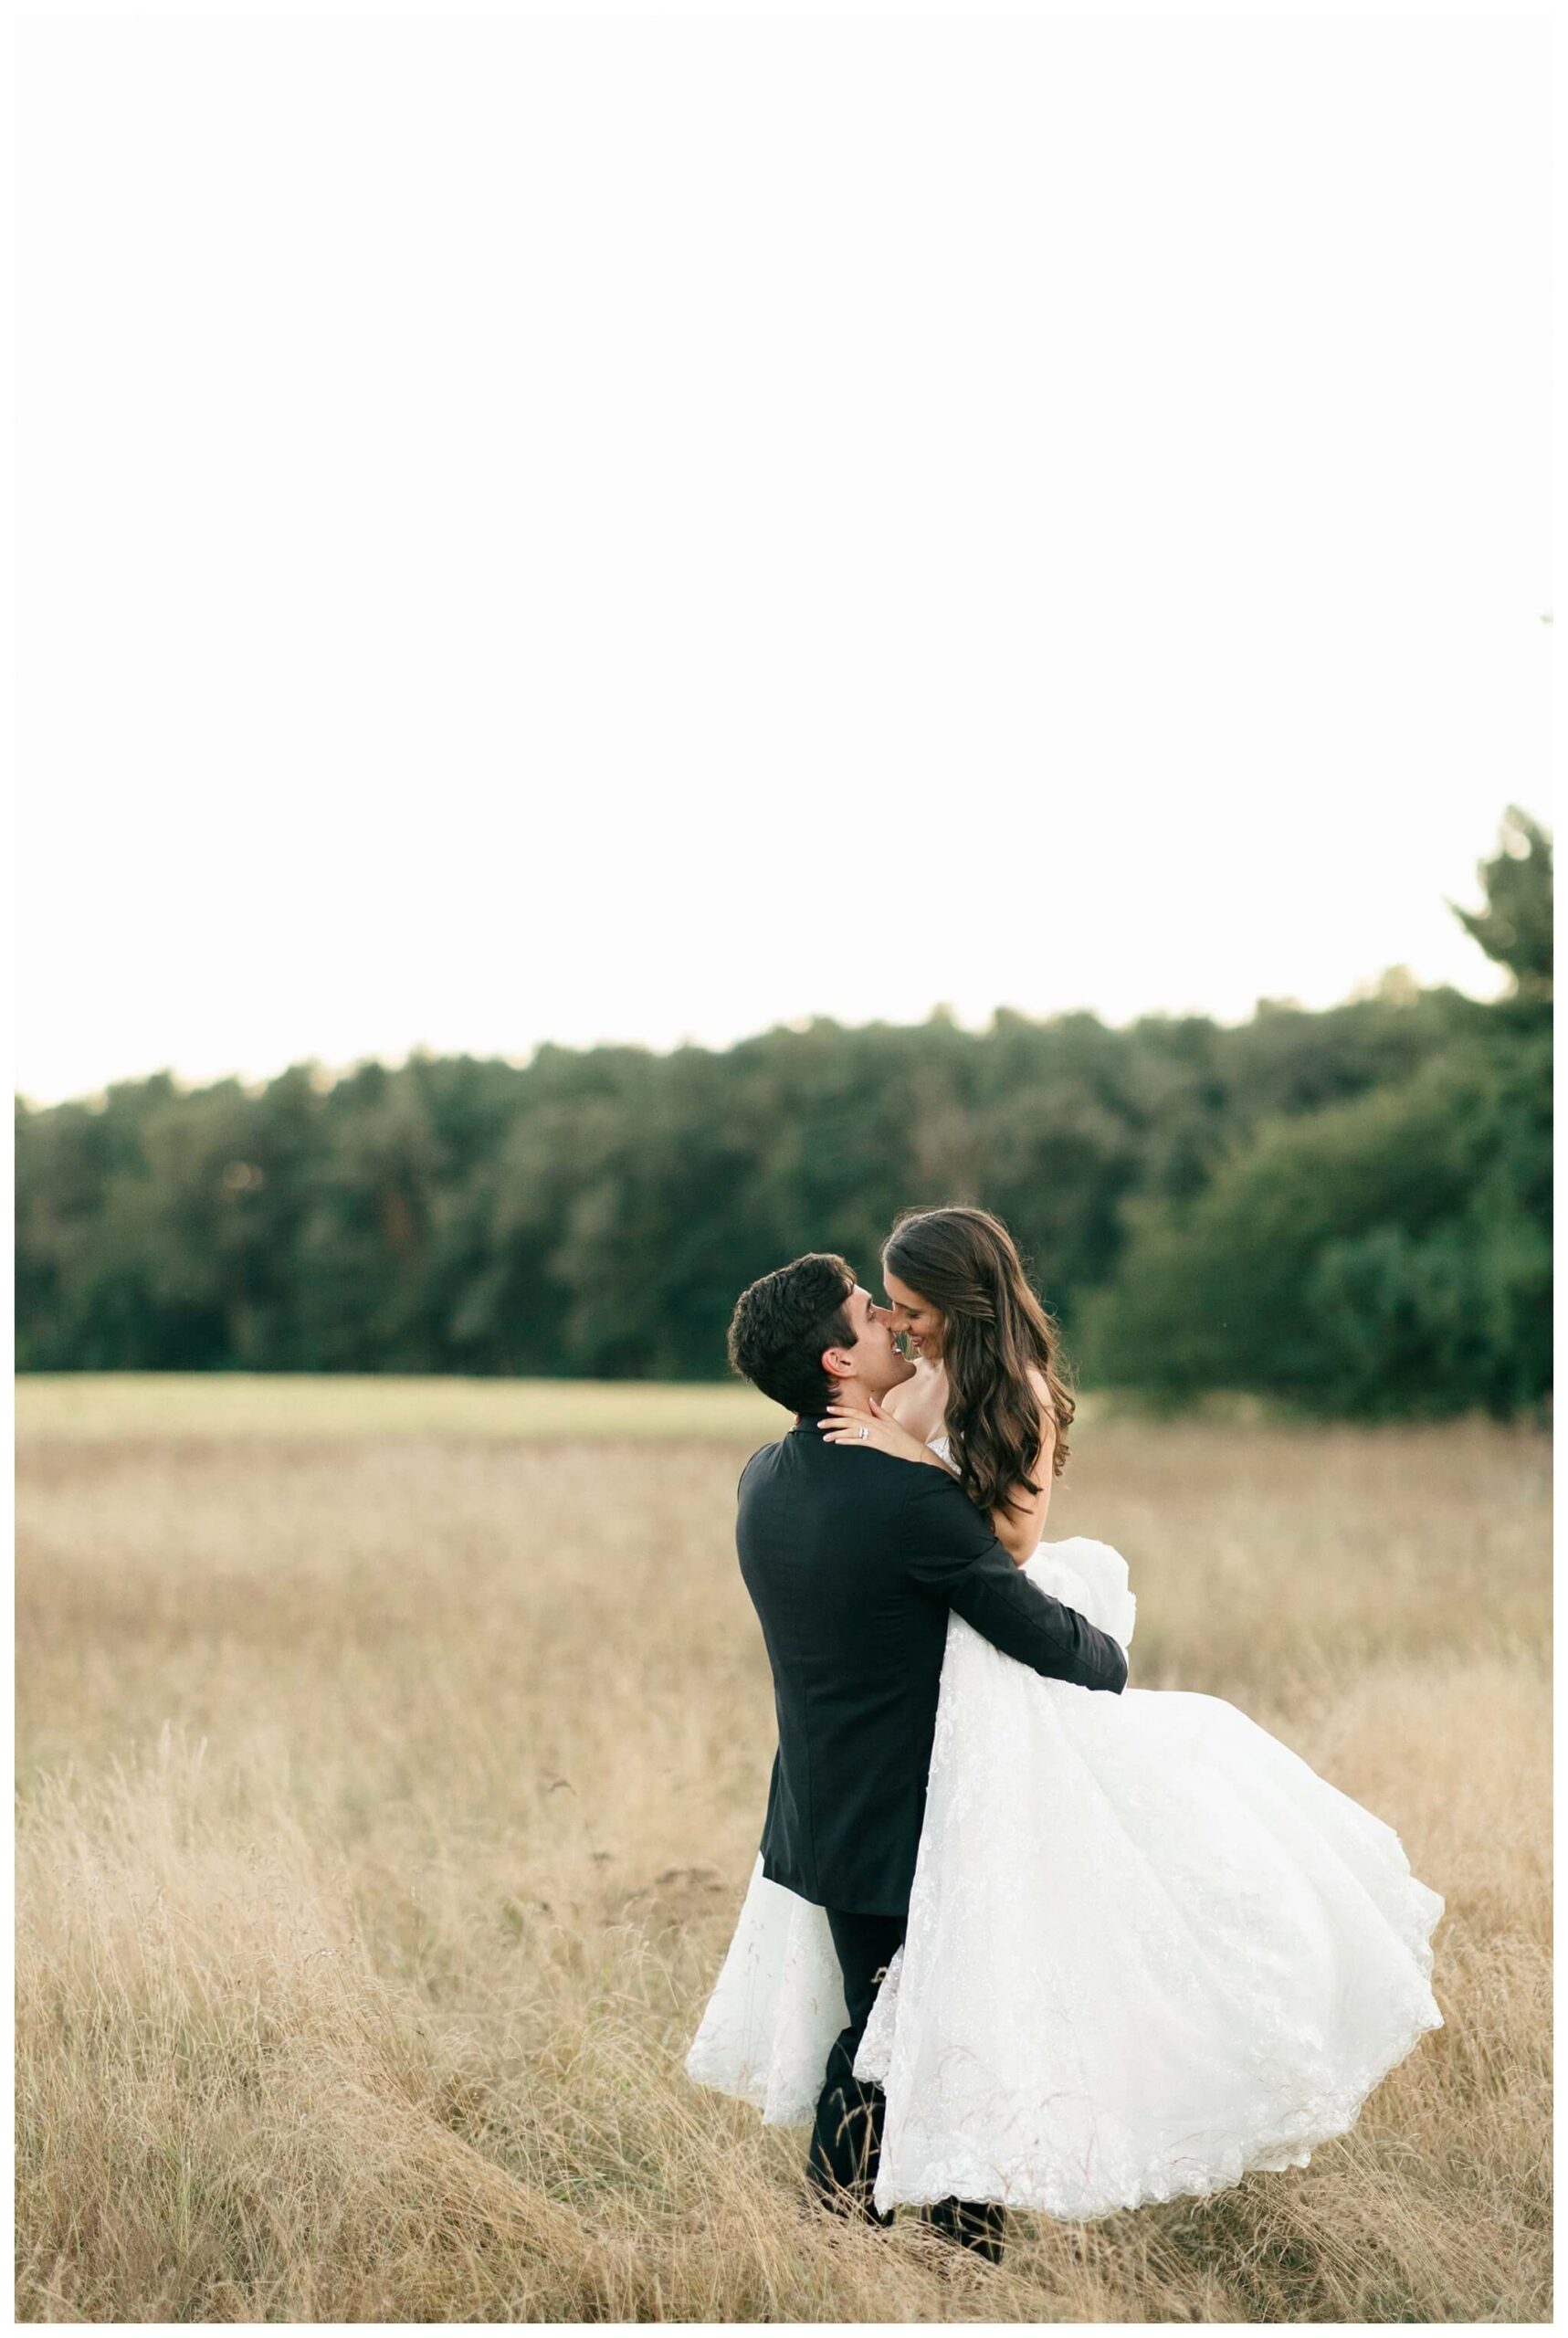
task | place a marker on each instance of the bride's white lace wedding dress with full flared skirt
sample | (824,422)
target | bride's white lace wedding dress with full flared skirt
(1149,1946)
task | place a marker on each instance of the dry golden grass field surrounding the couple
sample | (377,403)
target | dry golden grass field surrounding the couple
(387,1792)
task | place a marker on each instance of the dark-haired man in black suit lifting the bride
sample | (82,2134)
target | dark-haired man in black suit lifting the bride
(854,1563)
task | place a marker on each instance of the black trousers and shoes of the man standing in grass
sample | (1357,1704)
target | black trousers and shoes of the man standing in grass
(847,2131)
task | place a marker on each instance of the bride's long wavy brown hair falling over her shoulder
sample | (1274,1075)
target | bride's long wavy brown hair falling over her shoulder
(966,1266)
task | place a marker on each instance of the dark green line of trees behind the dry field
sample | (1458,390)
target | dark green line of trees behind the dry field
(1347,1210)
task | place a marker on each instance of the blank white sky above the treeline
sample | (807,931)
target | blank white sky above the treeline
(599,530)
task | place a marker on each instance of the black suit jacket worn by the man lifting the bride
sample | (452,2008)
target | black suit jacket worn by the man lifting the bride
(854,1563)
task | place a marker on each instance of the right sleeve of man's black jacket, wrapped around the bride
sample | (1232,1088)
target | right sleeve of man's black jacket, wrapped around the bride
(955,1556)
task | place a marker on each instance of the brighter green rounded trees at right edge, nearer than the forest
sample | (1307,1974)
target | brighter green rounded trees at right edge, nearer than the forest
(1387,1257)
